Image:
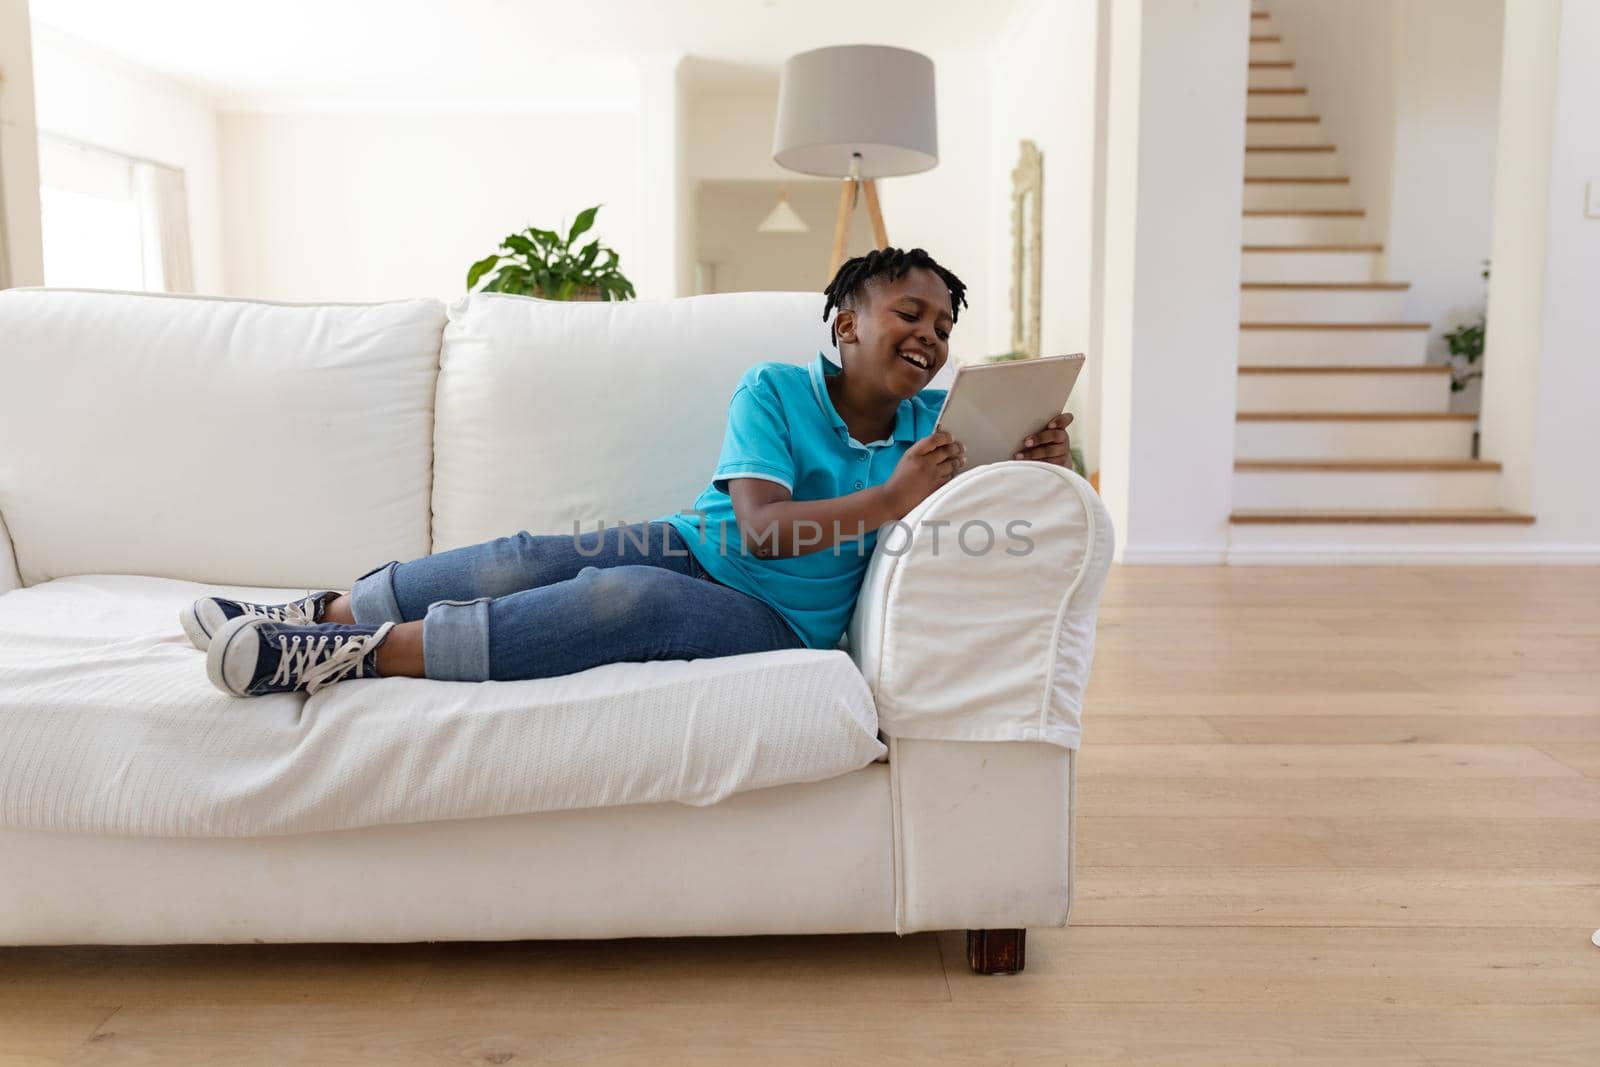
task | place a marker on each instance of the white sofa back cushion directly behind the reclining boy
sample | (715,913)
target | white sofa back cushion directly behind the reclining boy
(559,414)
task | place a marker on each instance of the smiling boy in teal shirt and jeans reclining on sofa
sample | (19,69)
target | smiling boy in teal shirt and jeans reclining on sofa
(814,462)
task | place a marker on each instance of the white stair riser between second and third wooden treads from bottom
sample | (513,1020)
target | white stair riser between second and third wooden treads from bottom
(1313,439)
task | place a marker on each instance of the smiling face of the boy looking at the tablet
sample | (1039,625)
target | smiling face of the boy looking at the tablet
(900,326)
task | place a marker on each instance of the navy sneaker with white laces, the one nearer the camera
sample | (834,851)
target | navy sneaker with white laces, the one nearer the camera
(252,657)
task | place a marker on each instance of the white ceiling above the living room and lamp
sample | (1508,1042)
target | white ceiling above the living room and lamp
(519,52)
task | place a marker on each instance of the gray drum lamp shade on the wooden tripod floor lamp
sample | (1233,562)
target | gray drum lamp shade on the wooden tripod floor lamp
(857,98)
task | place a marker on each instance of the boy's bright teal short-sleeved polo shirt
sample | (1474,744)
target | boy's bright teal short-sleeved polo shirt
(783,428)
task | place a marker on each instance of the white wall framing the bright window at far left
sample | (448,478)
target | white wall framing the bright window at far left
(100,100)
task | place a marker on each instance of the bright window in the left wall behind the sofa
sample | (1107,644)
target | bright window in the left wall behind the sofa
(111,222)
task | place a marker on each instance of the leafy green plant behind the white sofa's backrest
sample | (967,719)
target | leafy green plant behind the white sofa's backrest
(543,263)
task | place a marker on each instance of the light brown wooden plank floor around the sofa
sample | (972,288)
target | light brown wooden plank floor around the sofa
(1327,817)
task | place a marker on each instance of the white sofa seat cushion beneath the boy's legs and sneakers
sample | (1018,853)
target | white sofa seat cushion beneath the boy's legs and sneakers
(110,725)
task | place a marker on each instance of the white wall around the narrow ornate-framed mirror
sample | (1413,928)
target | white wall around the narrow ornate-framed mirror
(1042,76)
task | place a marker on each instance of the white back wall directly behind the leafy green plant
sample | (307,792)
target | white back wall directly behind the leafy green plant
(393,204)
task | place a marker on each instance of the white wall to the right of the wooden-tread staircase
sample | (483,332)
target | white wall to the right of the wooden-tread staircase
(1543,374)
